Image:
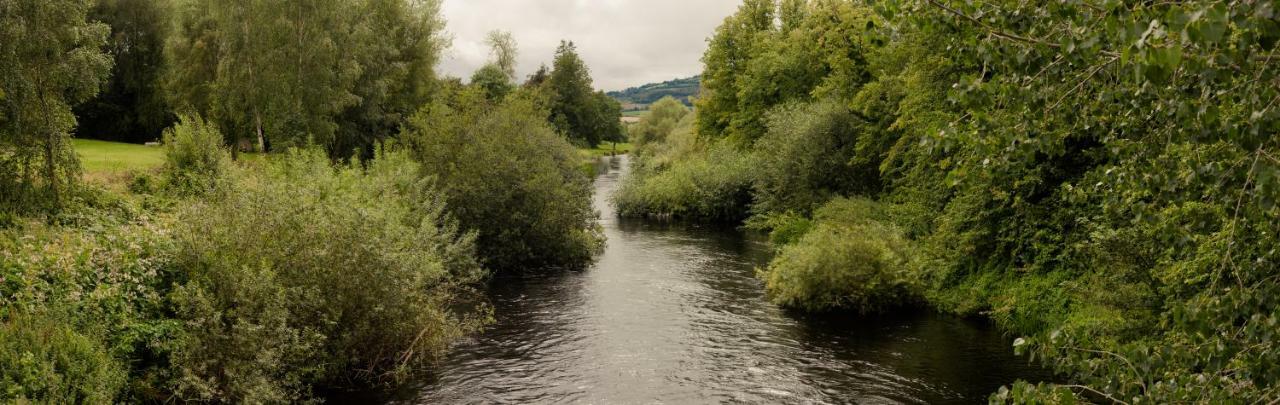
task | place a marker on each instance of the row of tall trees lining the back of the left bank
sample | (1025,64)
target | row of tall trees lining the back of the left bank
(344,76)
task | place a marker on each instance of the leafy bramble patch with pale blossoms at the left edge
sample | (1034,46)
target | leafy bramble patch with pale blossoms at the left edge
(93,292)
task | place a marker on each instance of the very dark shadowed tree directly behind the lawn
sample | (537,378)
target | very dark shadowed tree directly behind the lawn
(132,107)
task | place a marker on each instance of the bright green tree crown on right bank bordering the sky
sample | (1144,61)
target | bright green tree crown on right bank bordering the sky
(766,56)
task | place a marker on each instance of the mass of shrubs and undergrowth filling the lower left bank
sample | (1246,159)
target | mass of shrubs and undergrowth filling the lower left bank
(223,283)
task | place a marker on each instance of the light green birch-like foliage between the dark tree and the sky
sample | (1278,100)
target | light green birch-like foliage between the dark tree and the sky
(351,74)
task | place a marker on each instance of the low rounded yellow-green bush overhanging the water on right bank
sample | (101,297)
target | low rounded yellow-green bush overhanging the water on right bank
(851,261)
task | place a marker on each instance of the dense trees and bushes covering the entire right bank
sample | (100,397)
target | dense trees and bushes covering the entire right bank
(1098,178)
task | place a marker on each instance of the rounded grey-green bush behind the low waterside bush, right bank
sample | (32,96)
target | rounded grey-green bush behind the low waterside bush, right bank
(813,153)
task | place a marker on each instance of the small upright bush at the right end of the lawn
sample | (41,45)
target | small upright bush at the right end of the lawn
(195,158)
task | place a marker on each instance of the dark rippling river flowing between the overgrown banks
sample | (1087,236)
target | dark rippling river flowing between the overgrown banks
(675,315)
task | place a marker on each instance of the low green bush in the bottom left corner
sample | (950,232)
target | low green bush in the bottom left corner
(45,361)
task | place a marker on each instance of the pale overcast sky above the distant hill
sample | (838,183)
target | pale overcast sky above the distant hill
(625,43)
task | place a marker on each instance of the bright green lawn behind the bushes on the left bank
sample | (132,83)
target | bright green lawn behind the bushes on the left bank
(112,160)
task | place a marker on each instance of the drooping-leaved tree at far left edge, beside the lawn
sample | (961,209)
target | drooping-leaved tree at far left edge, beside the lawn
(51,60)
